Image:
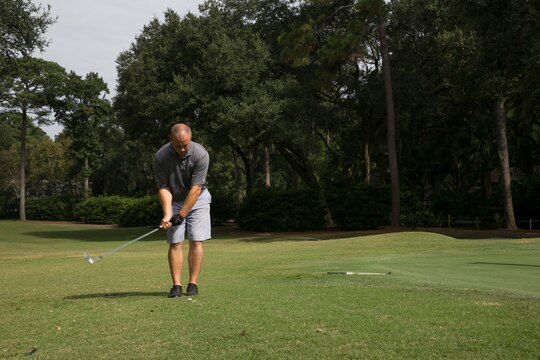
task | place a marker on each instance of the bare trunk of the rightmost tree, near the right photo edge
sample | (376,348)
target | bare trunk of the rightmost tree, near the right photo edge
(504,163)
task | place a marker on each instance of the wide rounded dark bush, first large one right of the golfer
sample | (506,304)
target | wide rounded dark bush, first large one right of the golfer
(270,210)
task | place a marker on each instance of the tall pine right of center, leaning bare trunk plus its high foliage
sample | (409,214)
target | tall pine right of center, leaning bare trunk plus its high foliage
(333,35)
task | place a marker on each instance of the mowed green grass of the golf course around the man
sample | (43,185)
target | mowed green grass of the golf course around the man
(268,296)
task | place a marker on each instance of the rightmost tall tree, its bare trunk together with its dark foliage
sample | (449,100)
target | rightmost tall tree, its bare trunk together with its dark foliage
(498,57)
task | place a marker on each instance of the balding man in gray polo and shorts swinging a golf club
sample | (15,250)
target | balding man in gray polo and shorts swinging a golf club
(180,170)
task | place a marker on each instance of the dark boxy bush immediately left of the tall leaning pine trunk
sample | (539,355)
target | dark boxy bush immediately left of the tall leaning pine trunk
(359,207)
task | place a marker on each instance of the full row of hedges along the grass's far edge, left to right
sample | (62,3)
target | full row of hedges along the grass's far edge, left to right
(353,207)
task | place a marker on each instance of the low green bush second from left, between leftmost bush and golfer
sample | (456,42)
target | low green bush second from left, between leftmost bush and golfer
(103,209)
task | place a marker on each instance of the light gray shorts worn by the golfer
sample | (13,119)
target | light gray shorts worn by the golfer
(197,224)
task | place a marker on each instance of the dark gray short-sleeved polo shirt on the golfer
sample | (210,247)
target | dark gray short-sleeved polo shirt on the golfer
(180,174)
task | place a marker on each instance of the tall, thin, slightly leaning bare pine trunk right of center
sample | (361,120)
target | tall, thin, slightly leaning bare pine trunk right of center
(391,126)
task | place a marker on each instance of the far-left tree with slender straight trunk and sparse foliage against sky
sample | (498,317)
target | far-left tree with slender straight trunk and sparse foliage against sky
(22,86)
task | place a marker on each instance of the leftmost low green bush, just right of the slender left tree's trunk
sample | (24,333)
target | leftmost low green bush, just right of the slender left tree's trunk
(51,208)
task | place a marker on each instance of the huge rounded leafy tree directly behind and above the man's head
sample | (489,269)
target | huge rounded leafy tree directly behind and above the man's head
(209,71)
